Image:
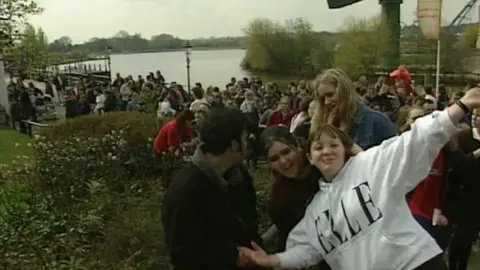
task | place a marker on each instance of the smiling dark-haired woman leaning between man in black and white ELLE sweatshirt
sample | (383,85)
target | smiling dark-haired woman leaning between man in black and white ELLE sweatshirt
(295,182)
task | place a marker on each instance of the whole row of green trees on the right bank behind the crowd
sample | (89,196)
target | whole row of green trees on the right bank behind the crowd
(359,47)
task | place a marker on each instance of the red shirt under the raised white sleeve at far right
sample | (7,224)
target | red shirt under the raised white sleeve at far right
(427,195)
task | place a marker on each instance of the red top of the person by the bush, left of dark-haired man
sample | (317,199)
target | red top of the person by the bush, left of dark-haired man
(169,136)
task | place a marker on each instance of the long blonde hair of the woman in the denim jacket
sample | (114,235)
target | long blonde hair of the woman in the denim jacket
(347,100)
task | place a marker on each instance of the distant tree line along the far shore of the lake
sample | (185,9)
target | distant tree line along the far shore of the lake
(123,42)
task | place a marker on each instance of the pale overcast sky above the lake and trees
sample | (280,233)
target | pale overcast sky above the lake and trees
(84,19)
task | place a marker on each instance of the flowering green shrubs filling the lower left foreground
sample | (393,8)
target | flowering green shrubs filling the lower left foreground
(92,197)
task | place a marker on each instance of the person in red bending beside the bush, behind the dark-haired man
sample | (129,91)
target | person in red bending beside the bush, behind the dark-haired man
(174,134)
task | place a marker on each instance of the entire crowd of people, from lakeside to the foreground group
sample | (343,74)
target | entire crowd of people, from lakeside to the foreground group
(379,175)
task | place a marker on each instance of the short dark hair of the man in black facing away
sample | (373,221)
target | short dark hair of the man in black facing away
(220,127)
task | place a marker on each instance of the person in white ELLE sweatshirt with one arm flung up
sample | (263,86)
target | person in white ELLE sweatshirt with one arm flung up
(359,219)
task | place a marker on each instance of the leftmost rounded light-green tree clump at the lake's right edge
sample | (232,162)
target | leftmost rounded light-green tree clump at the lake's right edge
(291,48)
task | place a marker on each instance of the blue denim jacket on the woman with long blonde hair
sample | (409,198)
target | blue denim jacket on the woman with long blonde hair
(370,128)
